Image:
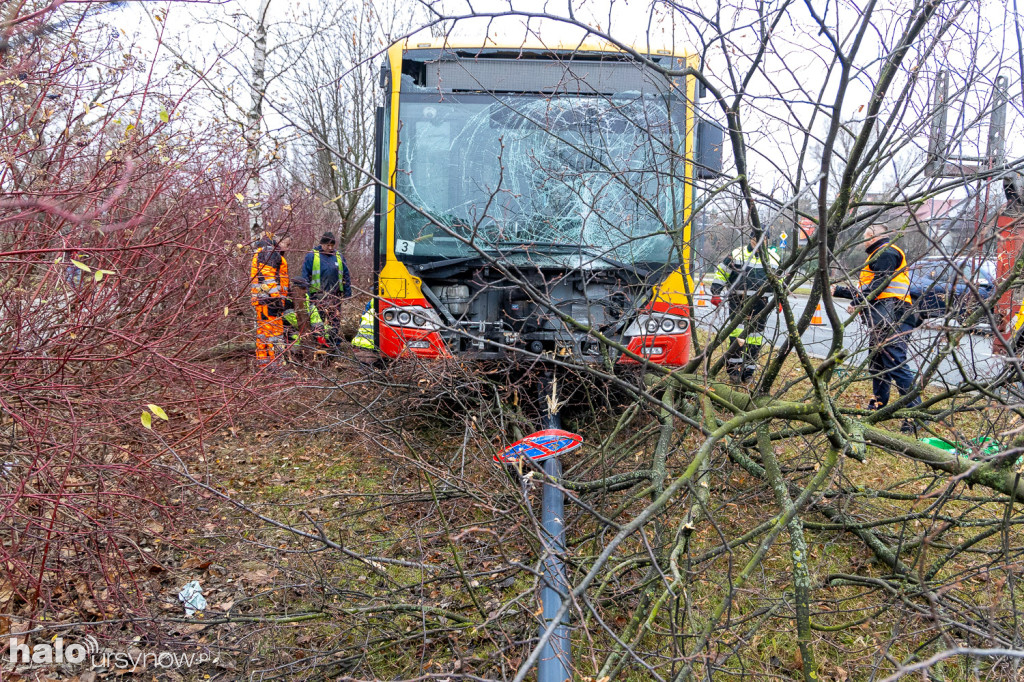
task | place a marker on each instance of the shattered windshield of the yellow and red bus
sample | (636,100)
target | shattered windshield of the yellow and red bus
(539,173)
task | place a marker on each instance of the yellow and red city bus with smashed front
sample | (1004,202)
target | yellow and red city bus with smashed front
(536,200)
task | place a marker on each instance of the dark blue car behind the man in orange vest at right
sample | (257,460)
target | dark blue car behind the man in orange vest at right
(940,289)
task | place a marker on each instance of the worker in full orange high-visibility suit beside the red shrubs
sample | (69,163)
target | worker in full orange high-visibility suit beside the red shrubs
(269,284)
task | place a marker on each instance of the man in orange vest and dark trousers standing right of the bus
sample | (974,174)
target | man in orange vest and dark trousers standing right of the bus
(885,287)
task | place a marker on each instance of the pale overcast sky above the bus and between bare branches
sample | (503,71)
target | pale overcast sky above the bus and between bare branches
(214,38)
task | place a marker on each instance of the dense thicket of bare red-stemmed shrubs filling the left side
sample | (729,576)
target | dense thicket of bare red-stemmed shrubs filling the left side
(118,217)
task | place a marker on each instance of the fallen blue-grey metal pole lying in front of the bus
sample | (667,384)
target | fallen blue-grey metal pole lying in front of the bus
(554,662)
